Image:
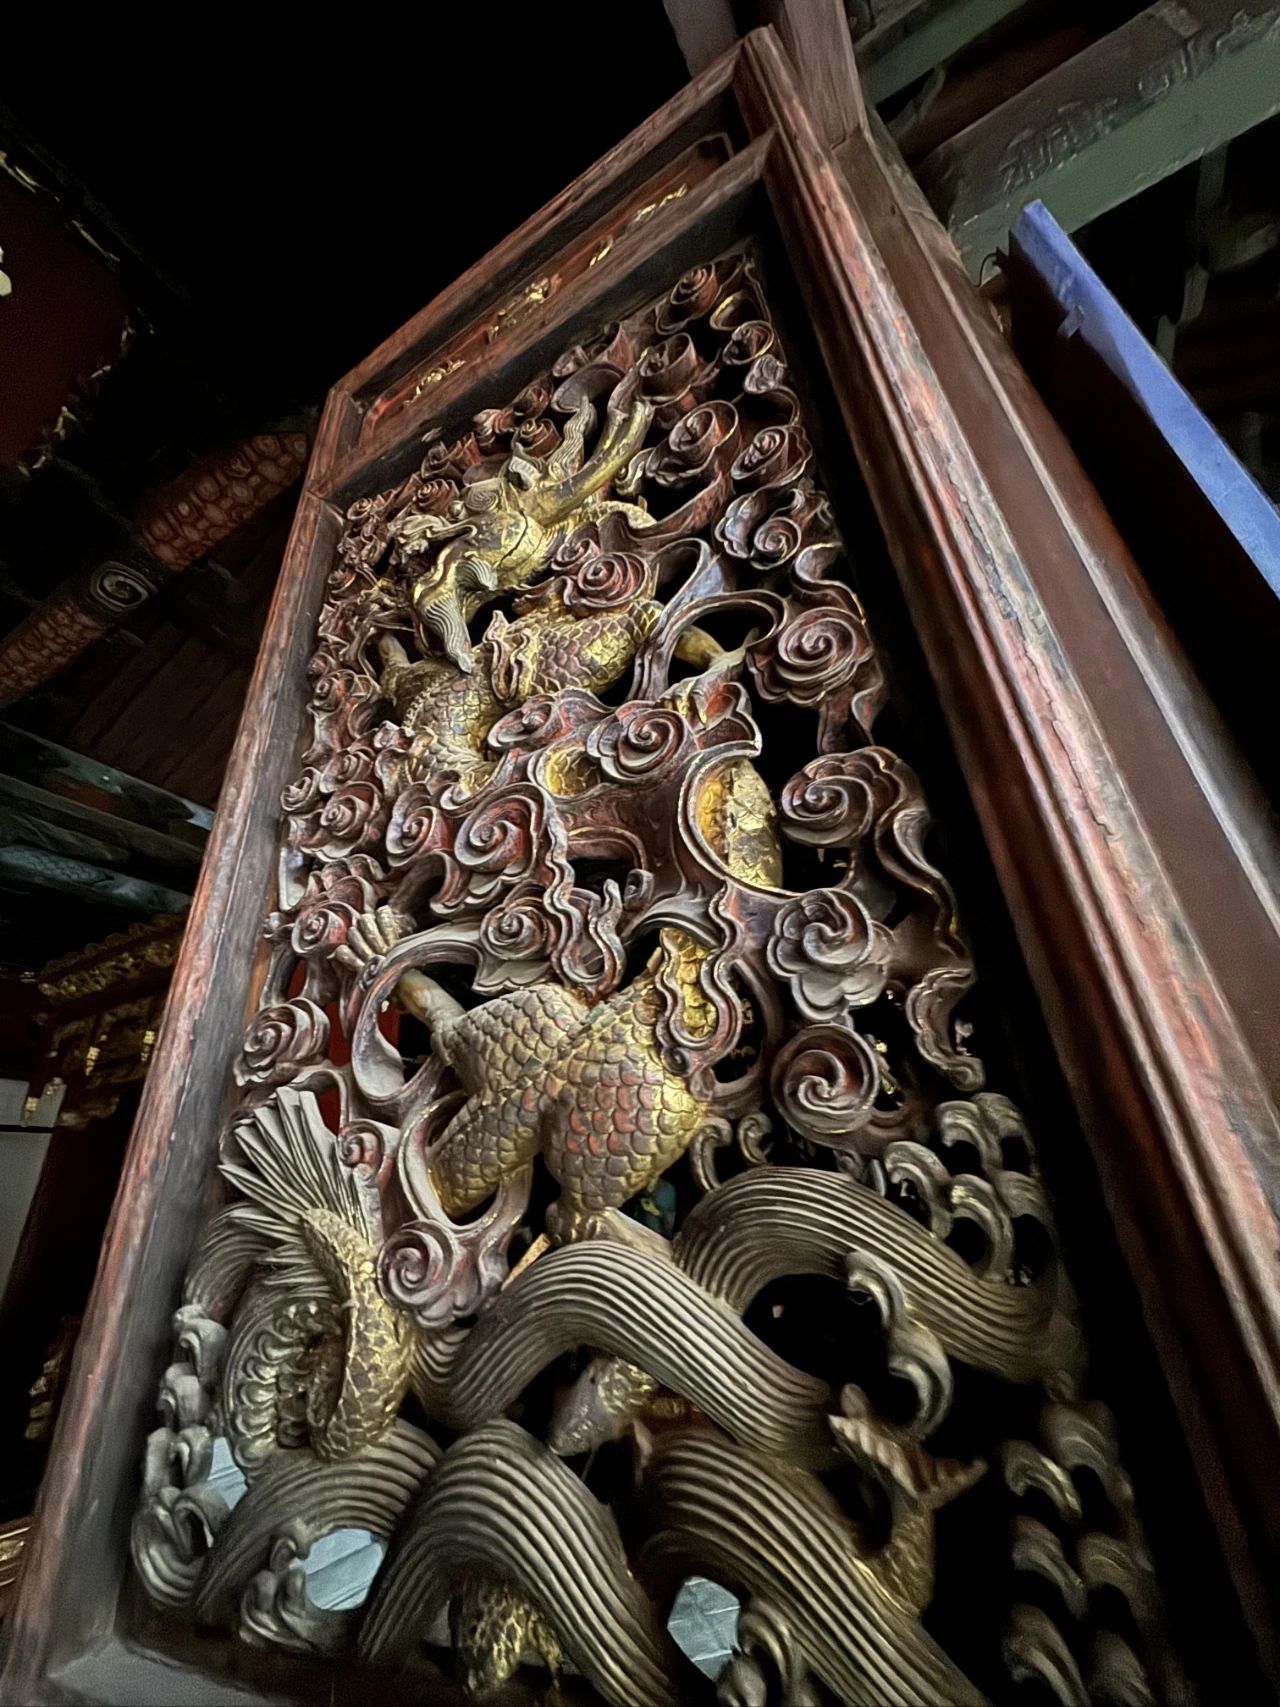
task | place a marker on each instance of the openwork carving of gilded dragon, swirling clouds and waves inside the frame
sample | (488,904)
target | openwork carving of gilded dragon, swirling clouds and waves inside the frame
(660,1122)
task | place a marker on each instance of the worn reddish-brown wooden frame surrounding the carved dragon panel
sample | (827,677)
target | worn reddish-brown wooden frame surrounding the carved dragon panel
(1124,837)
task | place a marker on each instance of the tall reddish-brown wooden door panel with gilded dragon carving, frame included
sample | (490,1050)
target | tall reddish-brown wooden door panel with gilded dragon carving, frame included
(608,1172)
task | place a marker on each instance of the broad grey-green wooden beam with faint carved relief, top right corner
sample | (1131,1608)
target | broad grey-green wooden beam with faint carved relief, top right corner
(1161,91)
